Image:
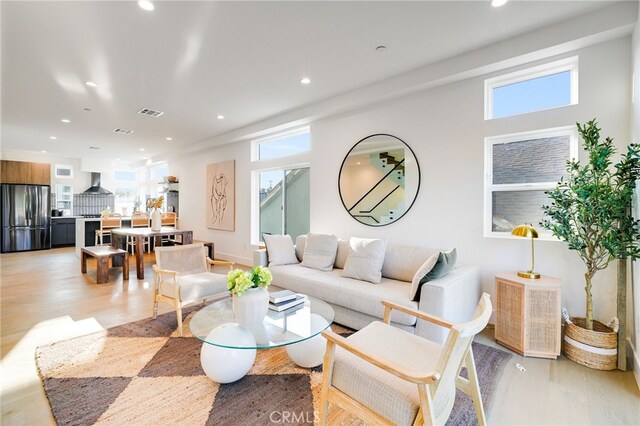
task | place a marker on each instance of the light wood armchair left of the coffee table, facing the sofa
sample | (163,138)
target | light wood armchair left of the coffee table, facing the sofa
(182,275)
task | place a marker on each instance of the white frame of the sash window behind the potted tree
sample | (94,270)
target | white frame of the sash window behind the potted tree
(490,187)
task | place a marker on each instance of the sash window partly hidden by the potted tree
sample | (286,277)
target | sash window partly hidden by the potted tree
(519,168)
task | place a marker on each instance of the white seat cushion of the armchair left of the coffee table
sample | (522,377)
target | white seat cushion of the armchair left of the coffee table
(195,286)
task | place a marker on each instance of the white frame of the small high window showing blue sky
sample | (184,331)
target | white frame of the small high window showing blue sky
(568,64)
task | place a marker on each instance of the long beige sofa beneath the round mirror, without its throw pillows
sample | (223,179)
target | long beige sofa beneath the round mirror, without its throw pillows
(357,303)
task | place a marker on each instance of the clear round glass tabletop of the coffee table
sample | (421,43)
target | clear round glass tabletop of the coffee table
(278,328)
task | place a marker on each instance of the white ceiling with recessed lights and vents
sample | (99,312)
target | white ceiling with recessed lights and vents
(195,60)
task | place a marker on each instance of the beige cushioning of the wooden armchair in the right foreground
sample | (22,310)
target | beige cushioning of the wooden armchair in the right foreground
(391,397)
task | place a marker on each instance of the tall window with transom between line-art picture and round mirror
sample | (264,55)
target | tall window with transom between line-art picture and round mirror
(281,175)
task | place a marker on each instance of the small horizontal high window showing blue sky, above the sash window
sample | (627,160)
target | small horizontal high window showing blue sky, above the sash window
(543,87)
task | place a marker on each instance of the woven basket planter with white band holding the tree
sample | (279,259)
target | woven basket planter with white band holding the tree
(597,348)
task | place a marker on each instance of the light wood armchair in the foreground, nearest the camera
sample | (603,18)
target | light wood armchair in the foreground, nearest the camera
(387,376)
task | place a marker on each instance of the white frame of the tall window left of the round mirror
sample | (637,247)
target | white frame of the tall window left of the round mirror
(283,164)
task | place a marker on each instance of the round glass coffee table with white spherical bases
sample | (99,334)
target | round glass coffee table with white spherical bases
(229,349)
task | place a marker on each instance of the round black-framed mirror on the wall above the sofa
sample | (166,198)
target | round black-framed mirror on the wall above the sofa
(379,180)
